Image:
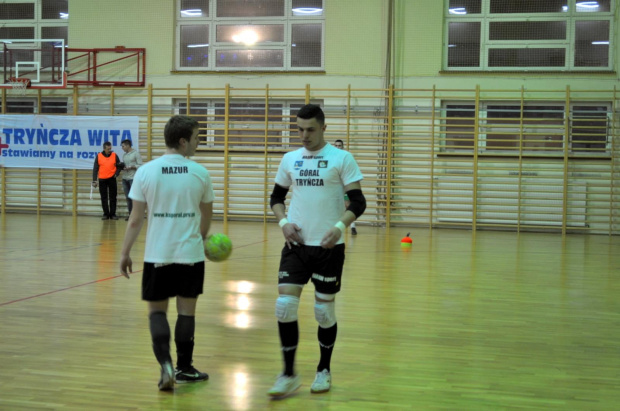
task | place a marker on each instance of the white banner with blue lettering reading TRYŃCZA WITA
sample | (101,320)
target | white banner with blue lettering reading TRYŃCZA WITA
(39,141)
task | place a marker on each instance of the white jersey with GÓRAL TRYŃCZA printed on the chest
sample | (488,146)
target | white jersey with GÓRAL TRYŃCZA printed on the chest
(317,180)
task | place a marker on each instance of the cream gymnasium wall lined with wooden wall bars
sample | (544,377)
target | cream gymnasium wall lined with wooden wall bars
(397,134)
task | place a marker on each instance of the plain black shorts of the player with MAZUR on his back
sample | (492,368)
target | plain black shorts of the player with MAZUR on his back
(161,283)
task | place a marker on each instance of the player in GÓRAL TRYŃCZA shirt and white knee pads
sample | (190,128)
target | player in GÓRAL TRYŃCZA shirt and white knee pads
(319,176)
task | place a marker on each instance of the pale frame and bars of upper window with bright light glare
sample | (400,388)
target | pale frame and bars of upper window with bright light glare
(288,20)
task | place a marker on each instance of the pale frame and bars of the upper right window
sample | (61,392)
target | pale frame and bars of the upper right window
(570,17)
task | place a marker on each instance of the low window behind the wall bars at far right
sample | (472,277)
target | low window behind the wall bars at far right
(538,129)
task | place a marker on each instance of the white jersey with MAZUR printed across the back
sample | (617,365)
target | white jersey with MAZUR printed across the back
(173,187)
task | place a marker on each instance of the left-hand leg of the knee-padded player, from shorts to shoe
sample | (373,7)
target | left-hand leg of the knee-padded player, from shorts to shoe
(292,277)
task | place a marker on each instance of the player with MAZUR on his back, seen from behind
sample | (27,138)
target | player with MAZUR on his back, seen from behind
(179,196)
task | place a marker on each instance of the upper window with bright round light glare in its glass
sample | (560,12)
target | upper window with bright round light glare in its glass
(241,35)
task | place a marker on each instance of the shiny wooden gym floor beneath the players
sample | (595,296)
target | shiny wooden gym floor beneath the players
(476,321)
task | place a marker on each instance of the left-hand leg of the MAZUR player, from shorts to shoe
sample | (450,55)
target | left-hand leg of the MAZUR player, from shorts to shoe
(155,291)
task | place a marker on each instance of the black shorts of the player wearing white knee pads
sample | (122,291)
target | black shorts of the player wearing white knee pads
(304,262)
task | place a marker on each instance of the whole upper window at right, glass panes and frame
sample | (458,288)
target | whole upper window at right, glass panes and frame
(495,35)
